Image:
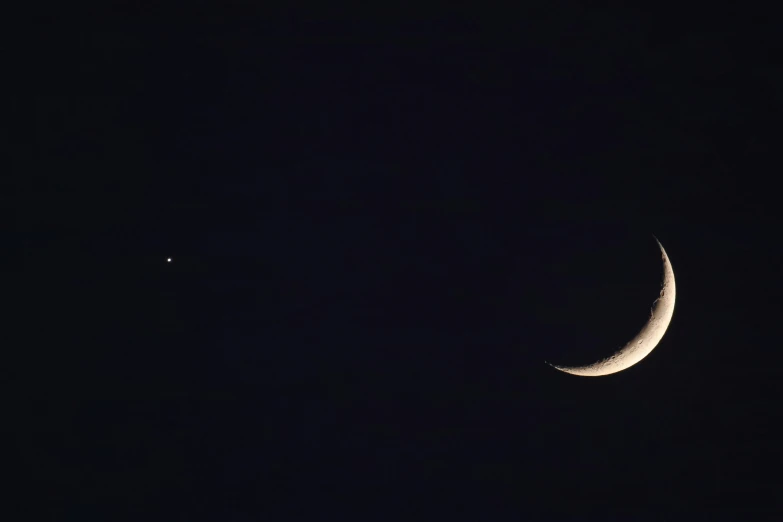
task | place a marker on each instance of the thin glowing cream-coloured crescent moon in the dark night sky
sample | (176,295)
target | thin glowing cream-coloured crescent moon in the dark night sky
(648,337)
